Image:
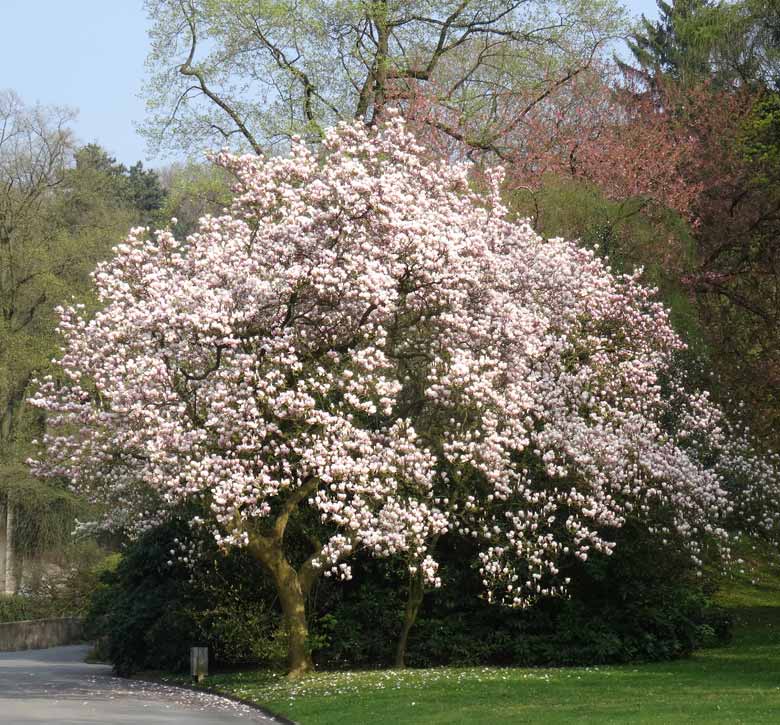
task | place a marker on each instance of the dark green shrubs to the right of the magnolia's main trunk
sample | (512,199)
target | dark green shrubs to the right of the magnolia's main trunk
(643,603)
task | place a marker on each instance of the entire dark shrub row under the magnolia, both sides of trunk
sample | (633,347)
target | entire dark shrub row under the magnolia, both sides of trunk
(643,603)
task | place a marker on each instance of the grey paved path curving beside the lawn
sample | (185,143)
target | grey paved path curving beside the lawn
(56,686)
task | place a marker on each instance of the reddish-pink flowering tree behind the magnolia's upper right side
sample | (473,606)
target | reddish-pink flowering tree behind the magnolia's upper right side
(598,127)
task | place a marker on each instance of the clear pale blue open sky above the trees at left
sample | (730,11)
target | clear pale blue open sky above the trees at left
(89,54)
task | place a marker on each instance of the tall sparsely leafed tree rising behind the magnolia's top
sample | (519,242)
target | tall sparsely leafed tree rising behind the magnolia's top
(254,73)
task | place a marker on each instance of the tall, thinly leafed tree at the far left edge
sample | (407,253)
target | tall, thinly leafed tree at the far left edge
(35,149)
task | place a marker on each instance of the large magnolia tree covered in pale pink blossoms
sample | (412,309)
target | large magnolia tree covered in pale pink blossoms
(363,354)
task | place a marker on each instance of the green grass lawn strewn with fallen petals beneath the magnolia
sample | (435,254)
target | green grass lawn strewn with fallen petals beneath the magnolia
(738,683)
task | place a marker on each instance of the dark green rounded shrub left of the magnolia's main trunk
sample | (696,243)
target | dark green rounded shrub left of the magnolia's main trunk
(149,612)
